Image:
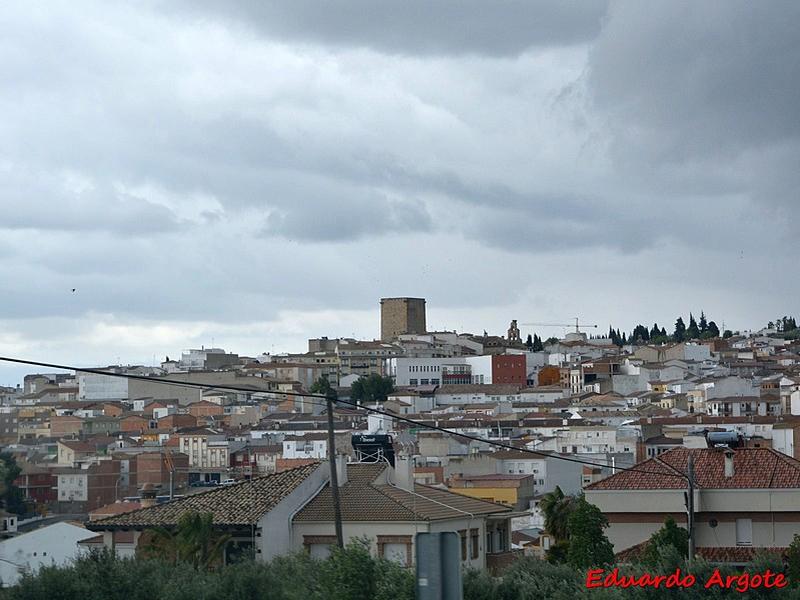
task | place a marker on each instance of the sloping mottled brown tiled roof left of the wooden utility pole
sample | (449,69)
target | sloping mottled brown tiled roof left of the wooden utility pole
(243,503)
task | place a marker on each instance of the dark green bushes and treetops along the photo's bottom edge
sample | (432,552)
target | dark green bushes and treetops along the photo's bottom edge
(350,574)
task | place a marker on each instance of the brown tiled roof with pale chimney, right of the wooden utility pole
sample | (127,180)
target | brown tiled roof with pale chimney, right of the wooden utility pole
(367,497)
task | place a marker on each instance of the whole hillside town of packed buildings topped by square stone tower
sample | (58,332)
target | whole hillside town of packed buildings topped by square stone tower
(103,458)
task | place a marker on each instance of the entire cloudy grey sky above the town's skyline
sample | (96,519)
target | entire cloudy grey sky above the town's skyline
(256,173)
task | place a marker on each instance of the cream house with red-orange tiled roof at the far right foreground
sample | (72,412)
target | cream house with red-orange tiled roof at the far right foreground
(745,499)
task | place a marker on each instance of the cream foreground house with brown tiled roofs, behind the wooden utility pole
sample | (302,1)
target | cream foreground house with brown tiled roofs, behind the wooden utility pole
(292,510)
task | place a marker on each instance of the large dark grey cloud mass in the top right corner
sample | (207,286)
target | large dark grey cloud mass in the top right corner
(702,91)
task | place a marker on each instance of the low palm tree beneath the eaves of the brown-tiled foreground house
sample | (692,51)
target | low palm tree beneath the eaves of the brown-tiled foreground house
(193,541)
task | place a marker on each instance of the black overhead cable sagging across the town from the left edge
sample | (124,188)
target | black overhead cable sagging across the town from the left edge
(324,398)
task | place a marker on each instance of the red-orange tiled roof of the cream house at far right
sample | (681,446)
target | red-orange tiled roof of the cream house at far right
(754,468)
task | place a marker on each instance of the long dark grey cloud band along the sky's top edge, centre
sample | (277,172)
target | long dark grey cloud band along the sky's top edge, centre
(503,27)
